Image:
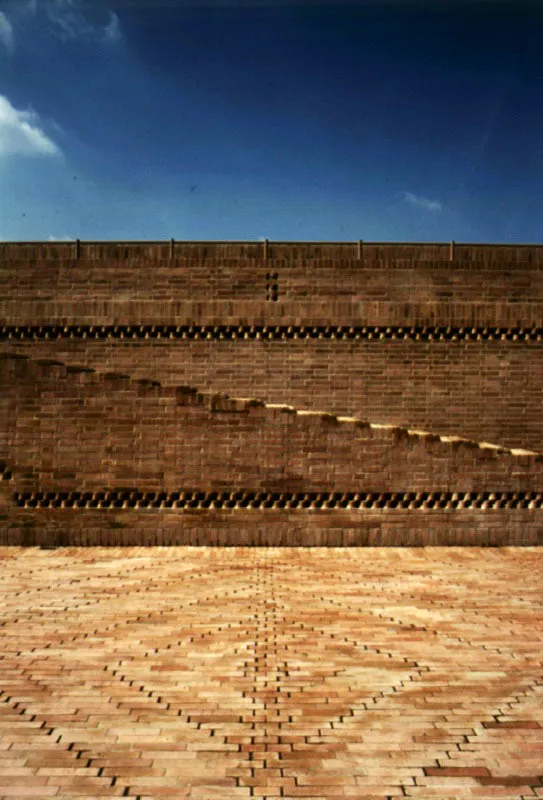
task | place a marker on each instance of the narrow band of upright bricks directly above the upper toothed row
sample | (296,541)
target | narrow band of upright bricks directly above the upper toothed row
(119,309)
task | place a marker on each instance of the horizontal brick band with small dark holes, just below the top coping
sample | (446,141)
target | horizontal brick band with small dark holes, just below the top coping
(306,281)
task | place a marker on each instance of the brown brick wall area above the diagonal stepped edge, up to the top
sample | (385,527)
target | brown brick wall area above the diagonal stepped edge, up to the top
(437,385)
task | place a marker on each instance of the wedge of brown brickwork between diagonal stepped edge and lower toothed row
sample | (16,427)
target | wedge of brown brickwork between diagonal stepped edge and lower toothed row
(83,431)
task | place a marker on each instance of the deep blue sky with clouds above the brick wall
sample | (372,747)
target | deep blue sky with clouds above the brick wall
(374,120)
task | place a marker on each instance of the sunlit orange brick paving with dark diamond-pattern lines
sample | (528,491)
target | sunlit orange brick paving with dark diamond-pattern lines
(210,672)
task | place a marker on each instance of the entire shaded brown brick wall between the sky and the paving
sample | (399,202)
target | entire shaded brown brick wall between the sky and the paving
(400,384)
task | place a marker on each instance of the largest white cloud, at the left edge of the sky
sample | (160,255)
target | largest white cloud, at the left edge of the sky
(20,133)
